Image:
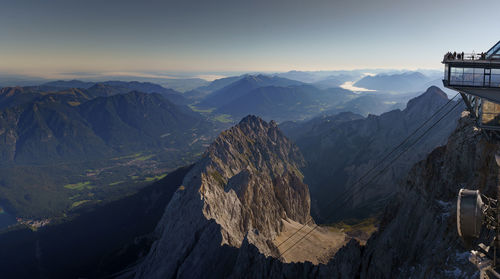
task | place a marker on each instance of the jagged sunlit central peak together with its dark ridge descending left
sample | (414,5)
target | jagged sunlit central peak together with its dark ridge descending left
(247,188)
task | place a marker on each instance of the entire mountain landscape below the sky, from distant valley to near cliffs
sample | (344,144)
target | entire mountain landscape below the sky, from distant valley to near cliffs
(91,171)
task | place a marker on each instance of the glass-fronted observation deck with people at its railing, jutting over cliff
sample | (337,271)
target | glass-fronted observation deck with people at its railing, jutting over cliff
(477,78)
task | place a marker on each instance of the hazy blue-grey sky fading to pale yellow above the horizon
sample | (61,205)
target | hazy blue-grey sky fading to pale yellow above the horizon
(42,37)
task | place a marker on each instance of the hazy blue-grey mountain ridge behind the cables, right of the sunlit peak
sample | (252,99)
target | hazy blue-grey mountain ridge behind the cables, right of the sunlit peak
(340,149)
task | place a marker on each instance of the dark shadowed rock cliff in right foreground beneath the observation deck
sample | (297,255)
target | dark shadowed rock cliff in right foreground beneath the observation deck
(418,236)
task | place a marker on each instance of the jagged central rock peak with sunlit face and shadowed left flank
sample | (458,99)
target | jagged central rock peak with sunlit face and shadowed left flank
(244,186)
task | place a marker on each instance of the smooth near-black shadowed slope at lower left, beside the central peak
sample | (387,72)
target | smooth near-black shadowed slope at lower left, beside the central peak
(95,244)
